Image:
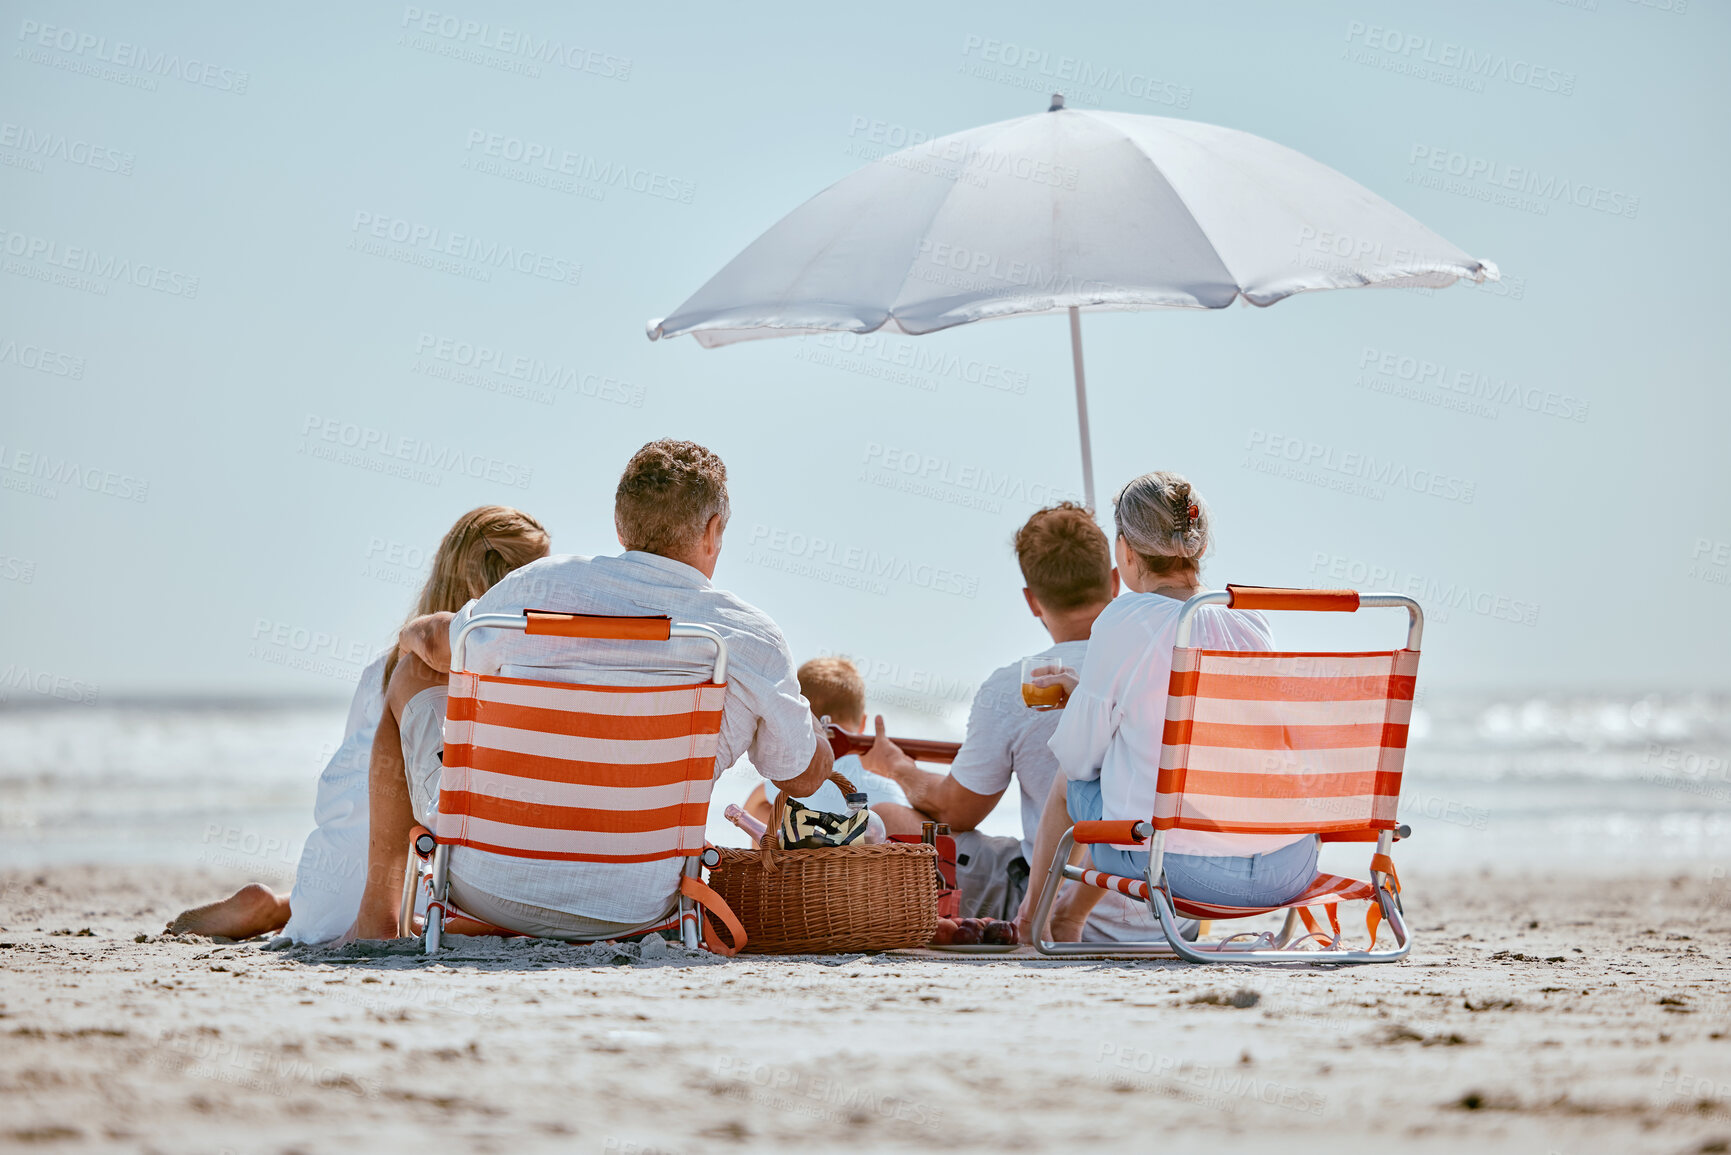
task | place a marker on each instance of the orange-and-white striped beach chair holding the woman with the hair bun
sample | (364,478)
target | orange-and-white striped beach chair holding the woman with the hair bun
(1270,744)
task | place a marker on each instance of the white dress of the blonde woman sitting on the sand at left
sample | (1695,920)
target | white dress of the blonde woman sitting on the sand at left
(333,870)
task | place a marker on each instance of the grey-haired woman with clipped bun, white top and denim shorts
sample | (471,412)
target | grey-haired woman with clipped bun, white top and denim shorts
(1110,737)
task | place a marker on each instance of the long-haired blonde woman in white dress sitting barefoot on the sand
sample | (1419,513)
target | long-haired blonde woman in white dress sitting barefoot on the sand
(482,548)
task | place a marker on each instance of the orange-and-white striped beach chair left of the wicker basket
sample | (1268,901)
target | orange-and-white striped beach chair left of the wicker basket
(572,773)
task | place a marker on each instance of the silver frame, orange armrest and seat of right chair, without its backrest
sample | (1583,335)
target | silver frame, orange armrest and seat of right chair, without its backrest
(1384,889)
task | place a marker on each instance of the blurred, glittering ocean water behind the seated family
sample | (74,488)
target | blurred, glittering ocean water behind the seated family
(1583,784)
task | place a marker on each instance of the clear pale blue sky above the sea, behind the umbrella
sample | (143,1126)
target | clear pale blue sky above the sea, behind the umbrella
(214,354)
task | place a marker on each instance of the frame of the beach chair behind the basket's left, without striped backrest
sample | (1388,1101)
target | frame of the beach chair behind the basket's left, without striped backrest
(432,851)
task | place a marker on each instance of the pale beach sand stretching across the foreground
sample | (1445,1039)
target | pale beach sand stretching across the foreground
(1557,1016)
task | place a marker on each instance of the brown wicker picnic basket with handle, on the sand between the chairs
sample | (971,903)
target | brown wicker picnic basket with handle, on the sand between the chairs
(832,900)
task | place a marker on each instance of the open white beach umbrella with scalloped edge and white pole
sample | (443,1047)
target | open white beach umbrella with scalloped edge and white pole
(1065,210)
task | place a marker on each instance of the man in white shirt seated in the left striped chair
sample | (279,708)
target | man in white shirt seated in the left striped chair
(671,512)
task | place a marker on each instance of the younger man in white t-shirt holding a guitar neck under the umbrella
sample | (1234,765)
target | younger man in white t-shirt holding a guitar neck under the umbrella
(1067,565)
